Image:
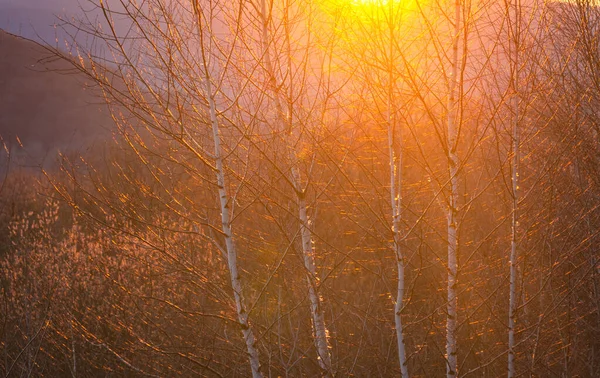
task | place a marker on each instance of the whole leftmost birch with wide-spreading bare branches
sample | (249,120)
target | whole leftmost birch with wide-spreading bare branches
(173,83)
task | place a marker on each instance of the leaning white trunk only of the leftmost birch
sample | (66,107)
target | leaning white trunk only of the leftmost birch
(229,242)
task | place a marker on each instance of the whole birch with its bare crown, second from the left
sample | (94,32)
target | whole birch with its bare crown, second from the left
(284,42)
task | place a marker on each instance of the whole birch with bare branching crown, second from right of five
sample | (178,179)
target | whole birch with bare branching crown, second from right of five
(447,86)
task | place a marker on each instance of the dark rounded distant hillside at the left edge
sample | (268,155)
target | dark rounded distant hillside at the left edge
(45,103)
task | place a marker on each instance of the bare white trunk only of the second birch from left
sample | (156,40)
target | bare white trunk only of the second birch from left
(320,332)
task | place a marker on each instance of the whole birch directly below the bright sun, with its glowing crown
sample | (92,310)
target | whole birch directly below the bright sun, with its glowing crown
(380,71)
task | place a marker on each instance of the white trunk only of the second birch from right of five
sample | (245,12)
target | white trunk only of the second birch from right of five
(452,213)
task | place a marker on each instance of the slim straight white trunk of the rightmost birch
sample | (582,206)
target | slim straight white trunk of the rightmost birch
(512,304)
